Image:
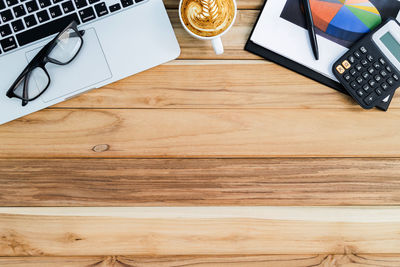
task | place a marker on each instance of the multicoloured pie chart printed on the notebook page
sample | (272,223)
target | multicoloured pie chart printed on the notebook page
(345,19)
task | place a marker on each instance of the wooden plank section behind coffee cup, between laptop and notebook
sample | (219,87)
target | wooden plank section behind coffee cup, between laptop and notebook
(234,40)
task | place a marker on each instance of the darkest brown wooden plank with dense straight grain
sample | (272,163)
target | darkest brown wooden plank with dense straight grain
(185,182)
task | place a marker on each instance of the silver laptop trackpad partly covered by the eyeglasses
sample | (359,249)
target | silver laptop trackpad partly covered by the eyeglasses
(84,72)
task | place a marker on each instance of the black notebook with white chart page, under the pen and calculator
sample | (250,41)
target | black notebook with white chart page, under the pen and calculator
(280,34)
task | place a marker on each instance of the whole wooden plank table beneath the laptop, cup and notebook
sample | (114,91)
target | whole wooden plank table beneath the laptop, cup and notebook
(191,164)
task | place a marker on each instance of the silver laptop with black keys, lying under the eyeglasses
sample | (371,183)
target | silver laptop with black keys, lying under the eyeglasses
(122,37)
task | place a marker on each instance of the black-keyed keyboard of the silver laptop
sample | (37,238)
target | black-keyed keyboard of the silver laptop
(25,21)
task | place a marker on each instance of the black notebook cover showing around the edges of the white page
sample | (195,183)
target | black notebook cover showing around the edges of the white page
(294,66)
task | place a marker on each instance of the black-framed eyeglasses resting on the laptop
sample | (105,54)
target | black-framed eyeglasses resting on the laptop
(34,79)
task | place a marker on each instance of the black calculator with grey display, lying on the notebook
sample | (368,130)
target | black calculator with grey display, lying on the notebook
(369,71)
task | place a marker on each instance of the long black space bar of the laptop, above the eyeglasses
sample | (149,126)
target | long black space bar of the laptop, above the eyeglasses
(46,29)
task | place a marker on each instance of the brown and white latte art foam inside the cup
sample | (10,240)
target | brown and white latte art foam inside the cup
(207,18)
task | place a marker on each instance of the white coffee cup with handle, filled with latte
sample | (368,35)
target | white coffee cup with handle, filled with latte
(208,19)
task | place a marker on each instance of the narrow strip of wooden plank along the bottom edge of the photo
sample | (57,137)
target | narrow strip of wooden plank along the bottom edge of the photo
(207,261)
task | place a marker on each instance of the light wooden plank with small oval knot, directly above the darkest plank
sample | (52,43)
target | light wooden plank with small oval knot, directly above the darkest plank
(202,133)
